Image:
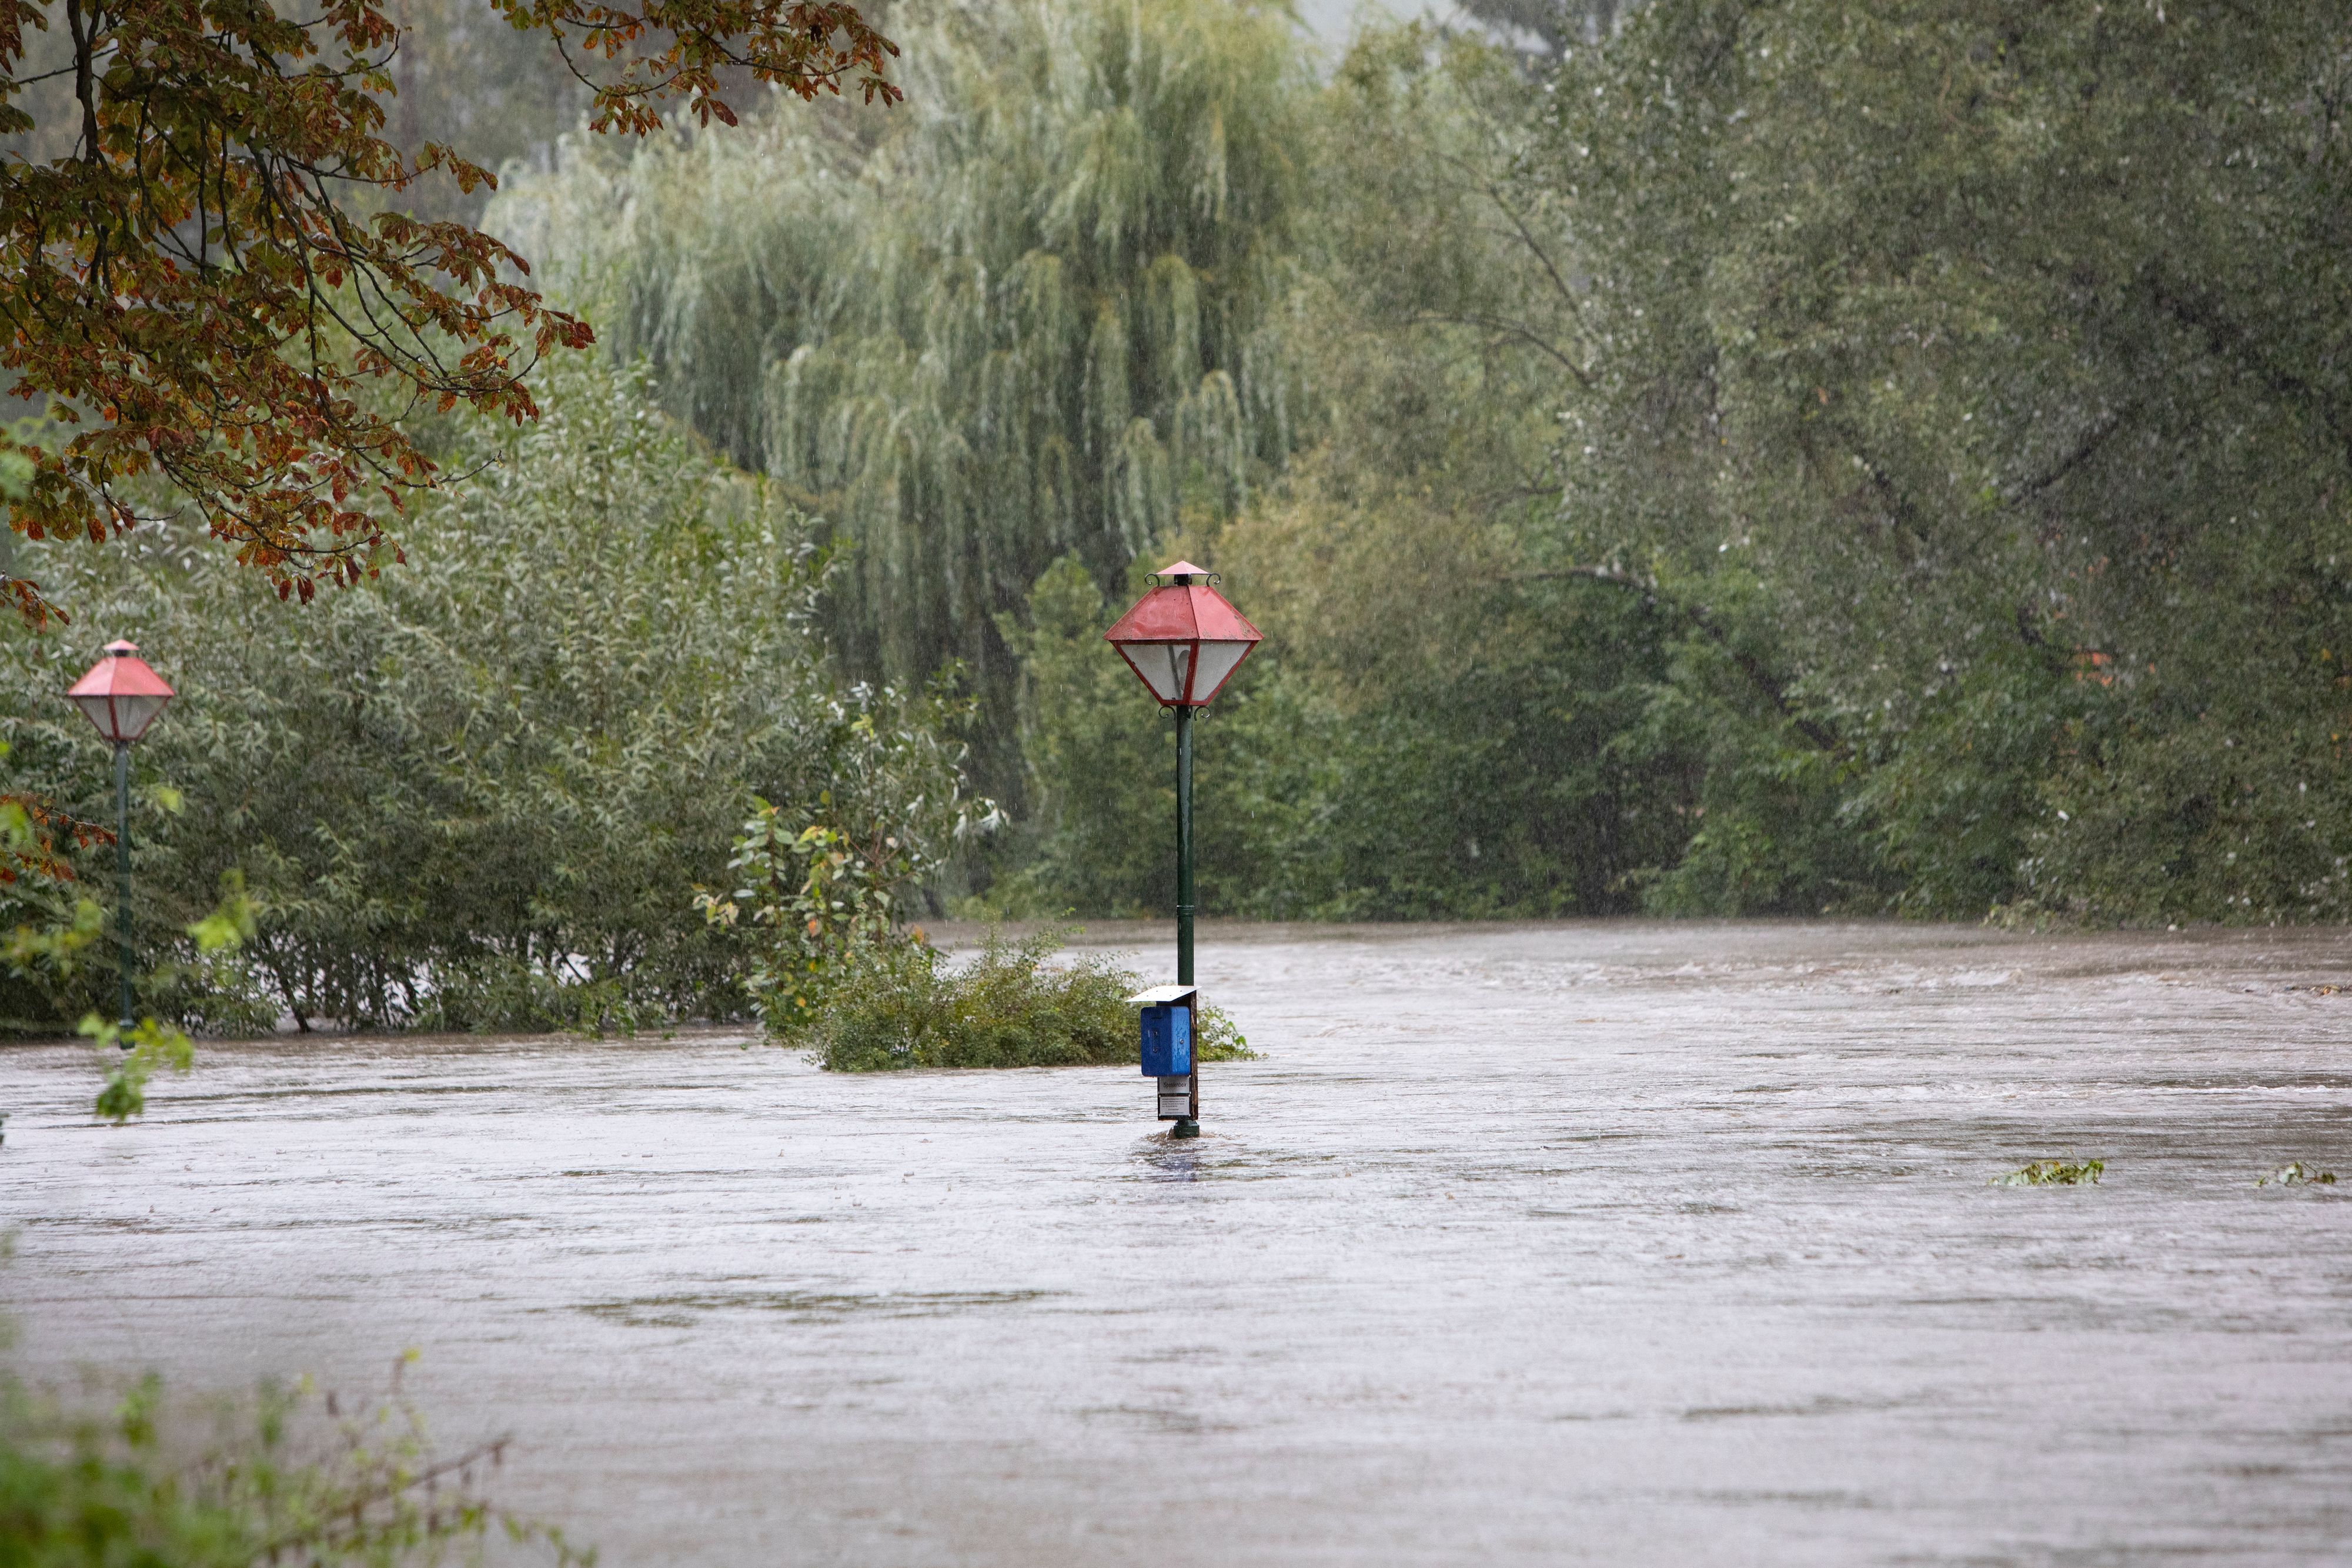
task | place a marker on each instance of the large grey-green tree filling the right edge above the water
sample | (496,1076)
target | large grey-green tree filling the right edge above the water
(1982,366)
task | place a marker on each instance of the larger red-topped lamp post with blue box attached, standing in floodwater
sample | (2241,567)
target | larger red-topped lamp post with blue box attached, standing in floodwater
(1184,643)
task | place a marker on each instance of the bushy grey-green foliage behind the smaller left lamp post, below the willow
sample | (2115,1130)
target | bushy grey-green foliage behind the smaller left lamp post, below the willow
(479,791)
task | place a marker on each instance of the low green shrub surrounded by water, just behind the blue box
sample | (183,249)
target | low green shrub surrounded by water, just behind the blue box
(904,1007)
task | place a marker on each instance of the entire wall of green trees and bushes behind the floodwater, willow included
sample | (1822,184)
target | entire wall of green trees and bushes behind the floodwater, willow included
(1716,457)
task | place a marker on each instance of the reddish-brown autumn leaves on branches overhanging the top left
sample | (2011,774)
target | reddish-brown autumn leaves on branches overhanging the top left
(213,288)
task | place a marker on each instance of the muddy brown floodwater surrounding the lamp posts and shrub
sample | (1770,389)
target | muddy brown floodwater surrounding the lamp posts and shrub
(1523,1245)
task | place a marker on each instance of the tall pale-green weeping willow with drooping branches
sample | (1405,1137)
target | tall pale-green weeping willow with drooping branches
(1038,314)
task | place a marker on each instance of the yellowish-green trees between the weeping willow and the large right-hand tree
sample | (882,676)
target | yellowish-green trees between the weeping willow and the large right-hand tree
(1441,723)
